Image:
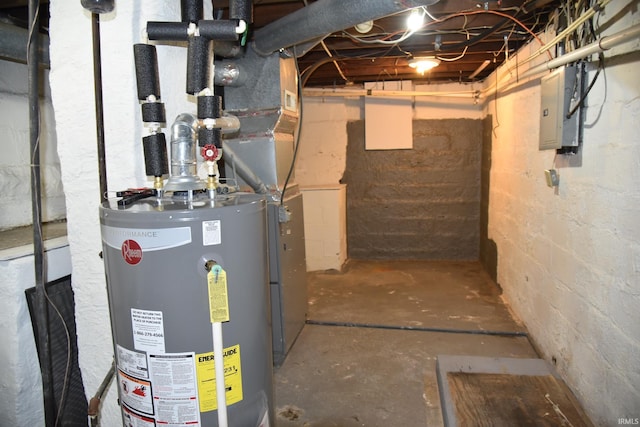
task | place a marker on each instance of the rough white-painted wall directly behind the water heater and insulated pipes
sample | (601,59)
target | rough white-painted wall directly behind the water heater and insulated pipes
(71,80)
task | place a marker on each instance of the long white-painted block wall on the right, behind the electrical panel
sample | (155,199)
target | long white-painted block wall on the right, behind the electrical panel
(569,259)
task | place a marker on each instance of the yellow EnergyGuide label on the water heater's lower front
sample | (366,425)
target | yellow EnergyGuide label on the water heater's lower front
(206,370)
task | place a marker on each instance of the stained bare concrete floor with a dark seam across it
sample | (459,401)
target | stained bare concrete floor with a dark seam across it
(368,356)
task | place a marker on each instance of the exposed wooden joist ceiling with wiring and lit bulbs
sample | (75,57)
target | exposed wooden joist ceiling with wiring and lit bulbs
(465,35)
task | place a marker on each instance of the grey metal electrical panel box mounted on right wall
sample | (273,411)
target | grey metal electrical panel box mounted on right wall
(558,90)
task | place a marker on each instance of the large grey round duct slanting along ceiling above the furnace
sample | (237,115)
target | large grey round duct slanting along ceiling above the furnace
(325,17)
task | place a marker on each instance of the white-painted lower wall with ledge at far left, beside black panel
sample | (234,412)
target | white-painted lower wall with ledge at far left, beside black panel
(20,379)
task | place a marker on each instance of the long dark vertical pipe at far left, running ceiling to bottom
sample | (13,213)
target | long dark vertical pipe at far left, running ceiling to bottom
(42,314)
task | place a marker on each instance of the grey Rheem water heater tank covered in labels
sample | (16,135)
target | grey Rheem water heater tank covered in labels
(158,254)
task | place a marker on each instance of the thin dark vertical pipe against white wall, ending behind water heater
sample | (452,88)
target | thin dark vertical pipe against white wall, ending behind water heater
(97,87)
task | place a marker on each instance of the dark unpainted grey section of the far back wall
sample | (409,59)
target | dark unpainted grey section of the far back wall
(422,203)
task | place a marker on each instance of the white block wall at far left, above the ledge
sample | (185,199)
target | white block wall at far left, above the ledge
(15,181)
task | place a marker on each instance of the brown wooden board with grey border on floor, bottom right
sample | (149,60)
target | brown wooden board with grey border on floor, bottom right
(505,392)
